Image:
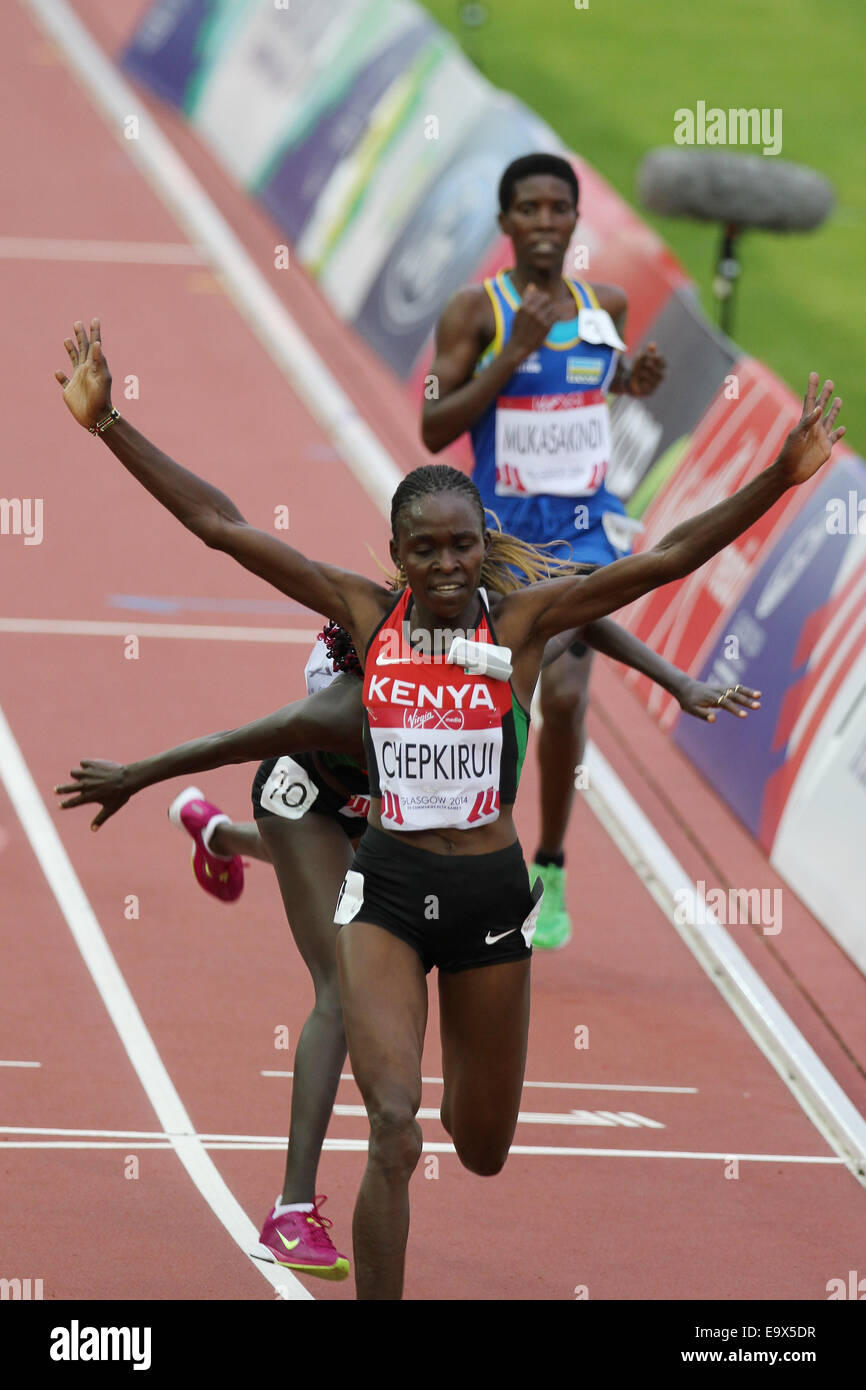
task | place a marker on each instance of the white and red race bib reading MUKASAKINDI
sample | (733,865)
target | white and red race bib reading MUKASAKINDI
(557,445)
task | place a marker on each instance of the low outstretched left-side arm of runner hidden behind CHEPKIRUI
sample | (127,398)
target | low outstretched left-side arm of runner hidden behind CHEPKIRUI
(330,721)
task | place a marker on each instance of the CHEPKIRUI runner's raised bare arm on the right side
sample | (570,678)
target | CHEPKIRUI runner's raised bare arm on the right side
(558,605)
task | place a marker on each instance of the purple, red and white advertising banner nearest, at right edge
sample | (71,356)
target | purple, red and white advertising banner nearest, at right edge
(796,774)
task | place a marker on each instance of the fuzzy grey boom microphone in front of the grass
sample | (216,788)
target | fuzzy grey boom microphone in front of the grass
(744,190)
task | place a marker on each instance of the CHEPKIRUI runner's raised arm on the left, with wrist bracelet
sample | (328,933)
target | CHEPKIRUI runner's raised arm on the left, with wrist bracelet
(209,514)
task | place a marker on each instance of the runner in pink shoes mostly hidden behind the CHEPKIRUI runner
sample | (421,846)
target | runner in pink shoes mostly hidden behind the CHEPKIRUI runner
(319,771)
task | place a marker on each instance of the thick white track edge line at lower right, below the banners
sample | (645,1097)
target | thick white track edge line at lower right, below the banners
(818,1093)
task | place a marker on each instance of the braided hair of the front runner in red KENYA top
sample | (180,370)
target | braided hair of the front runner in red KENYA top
(509,564)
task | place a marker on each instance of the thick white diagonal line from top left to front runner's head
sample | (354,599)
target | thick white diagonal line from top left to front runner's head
(199,218)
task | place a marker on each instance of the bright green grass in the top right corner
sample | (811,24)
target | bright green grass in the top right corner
(610,80)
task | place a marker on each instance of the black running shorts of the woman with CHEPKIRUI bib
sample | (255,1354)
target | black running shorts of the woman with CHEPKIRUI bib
(457,911)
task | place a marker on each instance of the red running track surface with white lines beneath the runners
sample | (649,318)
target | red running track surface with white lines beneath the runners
(621,1220)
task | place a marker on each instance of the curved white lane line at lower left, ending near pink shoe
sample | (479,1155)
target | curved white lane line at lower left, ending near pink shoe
(122,1007)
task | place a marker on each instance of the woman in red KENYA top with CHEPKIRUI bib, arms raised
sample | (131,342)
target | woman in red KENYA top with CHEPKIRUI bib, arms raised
(439,878)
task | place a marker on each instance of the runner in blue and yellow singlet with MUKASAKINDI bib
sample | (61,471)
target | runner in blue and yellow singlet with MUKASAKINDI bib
(525,363)
